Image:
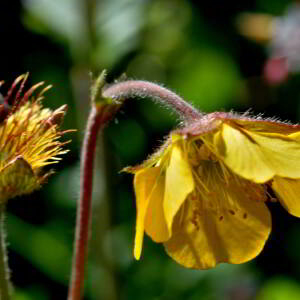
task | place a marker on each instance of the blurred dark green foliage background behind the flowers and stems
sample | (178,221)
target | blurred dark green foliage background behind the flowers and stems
(194,48)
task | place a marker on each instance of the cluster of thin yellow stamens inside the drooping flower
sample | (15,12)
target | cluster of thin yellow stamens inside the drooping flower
(218,190)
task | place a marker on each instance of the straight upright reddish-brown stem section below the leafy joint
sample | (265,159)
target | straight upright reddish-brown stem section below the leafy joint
(98,118)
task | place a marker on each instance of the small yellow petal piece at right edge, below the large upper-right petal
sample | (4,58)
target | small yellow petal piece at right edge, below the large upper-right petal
(288,191)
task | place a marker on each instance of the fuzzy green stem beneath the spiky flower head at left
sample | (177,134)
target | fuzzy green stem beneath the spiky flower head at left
(5,290)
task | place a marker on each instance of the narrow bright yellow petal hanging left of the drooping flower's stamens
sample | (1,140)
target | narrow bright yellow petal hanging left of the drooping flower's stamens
(179,184)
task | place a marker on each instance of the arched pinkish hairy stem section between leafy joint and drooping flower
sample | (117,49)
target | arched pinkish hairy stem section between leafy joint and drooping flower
(143,89)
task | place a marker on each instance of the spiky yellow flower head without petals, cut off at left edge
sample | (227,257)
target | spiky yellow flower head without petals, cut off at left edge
(29,140)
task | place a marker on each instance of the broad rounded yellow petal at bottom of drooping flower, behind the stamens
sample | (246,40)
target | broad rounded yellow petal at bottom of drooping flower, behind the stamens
(227,221)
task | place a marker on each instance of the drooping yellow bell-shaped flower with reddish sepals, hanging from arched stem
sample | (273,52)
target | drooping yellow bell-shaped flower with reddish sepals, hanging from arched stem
(204,193)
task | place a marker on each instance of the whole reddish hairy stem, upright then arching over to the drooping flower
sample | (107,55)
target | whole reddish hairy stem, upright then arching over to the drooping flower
(101,113)
